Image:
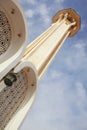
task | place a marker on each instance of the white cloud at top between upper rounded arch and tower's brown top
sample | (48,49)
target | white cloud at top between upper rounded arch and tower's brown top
(38,8)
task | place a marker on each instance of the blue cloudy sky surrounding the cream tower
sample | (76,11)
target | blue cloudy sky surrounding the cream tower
(61,101)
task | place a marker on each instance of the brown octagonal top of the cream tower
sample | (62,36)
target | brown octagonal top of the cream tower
(70,17)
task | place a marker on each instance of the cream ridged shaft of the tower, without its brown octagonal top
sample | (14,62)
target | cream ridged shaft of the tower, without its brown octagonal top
(43,49)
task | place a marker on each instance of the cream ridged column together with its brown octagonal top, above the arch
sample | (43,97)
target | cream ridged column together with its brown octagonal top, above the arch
(42,51)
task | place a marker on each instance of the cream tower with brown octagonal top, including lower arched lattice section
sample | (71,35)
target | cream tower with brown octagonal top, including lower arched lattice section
(18,88)
